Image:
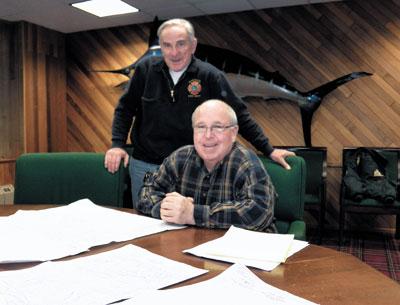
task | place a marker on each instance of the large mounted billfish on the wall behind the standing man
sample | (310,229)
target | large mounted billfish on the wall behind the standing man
(248,79)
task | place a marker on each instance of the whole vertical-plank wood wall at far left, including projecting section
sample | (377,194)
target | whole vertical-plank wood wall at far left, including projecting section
(32,93)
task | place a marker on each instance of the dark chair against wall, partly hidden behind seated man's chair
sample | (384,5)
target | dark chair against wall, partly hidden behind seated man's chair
(315,198)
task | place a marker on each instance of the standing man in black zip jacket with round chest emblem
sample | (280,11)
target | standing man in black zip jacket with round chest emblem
(162,96)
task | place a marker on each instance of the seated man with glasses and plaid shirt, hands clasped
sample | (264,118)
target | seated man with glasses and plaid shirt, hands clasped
(216,183)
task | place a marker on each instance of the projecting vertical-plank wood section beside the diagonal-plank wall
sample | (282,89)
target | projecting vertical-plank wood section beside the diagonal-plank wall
(44,89)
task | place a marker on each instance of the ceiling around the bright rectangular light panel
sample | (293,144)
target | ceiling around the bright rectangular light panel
(60,16)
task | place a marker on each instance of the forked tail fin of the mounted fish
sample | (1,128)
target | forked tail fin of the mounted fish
(314,99)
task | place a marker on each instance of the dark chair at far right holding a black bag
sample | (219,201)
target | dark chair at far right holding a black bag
(370,205)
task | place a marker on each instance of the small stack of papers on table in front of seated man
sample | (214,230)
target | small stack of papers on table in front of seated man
(257,249)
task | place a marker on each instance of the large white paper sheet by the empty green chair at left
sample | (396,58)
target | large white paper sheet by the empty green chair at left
(62,231)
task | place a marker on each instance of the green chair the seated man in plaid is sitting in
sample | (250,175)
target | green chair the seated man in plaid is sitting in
(290,186)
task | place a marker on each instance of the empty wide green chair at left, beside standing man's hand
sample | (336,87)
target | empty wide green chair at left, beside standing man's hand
(62,178)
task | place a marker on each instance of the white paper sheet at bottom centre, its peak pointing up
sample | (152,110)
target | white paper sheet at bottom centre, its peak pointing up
(235,286)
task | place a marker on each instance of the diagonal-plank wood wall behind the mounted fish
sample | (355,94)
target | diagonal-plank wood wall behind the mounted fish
(309,45)
